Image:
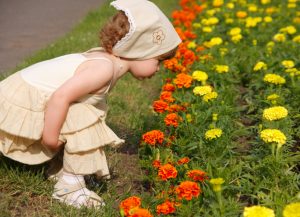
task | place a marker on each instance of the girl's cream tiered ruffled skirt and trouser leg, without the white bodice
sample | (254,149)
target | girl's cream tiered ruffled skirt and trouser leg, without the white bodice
(21,125)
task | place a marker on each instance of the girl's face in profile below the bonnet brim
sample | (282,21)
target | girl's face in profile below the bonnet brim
(142,69)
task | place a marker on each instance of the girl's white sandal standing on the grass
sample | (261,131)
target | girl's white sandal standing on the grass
(65,193)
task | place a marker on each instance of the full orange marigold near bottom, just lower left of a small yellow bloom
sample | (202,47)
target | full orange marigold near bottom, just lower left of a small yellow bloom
(188,190)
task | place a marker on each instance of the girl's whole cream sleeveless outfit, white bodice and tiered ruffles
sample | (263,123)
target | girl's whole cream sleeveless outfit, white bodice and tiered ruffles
(23,98)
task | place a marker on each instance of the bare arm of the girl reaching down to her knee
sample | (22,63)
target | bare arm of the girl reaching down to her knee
(90,76)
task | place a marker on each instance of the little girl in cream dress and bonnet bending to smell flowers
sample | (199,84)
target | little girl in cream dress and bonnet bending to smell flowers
(60,103)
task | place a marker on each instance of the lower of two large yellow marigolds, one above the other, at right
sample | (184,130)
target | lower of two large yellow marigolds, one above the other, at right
(273,136)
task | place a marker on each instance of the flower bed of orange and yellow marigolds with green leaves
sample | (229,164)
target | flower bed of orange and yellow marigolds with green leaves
(227,138)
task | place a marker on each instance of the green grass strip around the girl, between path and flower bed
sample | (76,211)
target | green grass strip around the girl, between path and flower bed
(24,189)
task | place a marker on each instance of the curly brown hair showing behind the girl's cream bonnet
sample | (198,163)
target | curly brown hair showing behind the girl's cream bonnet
(113,31)
